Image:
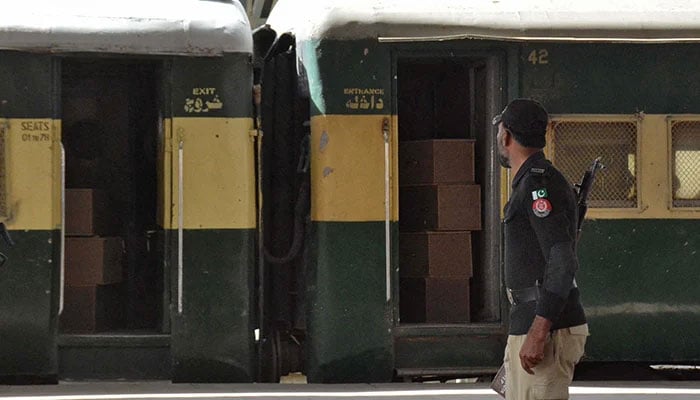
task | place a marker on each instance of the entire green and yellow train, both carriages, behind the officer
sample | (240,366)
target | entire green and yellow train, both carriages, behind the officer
(165,97)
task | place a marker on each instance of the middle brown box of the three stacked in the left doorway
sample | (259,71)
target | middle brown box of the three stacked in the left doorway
(93,260)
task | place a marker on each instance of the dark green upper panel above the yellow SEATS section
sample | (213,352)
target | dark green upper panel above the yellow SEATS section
(26,85)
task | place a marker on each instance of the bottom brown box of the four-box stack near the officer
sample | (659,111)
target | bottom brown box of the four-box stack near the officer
(440,300)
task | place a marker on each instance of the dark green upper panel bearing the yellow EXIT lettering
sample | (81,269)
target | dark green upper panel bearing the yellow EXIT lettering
(212,87)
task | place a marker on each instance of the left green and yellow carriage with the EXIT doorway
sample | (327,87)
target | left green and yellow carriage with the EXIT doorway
(127,131)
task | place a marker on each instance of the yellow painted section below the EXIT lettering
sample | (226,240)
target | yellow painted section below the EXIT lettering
(218,173)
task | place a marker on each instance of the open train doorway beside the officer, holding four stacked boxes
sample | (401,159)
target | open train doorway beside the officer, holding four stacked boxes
(448,191)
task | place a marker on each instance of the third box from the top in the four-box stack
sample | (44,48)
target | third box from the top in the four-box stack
(435,254)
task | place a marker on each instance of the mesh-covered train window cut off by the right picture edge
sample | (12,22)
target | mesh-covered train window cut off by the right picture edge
(685,162)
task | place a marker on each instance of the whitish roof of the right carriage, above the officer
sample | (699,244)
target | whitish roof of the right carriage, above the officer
(545,20)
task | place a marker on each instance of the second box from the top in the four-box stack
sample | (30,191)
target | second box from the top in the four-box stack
(440,207)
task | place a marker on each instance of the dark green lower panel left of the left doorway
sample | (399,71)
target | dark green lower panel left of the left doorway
(29,305)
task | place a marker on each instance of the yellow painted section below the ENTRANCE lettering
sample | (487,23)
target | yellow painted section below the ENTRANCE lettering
(348,168)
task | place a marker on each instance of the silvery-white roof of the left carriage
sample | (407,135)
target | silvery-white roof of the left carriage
(182,27)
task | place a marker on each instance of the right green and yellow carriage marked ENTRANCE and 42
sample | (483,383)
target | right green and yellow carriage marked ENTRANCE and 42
(618,84)
